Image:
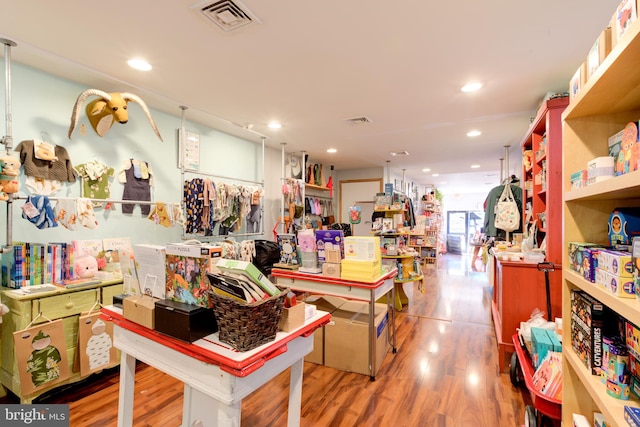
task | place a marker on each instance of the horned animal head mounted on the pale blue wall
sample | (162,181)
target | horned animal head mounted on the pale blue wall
(109,108)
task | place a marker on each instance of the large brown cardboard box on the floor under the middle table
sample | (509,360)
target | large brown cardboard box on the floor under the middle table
(346,345)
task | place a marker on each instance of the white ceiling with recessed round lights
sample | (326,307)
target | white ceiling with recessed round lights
(311,65)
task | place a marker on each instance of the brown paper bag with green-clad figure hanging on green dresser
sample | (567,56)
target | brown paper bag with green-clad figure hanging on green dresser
(41,355)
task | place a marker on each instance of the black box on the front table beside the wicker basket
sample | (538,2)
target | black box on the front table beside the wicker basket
(185,322)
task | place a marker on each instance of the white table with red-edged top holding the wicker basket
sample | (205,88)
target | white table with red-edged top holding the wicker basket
(216,377)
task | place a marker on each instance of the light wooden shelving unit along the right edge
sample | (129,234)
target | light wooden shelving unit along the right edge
(605,104)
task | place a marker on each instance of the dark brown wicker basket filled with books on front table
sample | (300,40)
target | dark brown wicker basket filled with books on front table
(247,326)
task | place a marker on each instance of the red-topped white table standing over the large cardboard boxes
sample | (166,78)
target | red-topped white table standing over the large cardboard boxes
(363,291)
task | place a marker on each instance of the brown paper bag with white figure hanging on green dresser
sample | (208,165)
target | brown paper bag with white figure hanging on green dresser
(95,339)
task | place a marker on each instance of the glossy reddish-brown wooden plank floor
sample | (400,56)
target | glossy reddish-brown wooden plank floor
(445,373)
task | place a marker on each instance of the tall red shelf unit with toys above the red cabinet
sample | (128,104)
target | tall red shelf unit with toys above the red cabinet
(542,173)
